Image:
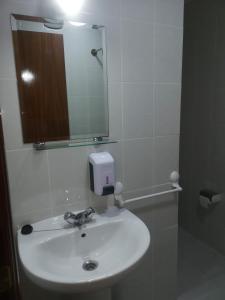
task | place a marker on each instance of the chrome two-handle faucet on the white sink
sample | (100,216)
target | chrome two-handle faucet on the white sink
(80,218)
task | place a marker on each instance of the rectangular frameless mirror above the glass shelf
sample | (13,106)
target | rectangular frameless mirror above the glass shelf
(62,79)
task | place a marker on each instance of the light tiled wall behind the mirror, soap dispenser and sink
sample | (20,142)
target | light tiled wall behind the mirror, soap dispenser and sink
(144,40)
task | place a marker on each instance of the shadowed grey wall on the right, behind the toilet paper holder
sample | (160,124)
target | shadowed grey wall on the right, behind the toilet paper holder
(202,155)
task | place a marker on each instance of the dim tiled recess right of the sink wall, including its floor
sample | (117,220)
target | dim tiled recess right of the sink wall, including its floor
(202,153)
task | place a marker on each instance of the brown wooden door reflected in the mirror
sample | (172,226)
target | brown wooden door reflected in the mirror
(42,85)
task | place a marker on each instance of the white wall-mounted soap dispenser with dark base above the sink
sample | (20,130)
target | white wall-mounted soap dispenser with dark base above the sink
(102,173)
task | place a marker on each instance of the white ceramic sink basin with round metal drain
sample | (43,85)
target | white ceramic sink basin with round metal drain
(68,259)
